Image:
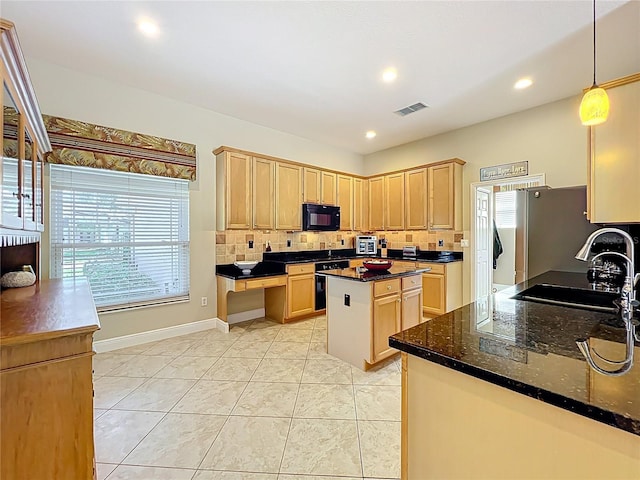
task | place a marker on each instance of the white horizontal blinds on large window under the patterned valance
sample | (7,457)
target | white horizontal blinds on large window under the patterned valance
(127,233)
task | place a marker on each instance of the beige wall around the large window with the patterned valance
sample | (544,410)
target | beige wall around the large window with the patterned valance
(70,94)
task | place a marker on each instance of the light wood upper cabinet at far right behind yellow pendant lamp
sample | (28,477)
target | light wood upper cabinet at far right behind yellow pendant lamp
(614,157)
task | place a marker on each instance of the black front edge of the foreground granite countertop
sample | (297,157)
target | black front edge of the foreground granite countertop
(609,418)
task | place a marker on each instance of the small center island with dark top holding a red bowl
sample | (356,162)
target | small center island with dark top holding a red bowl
(365,307)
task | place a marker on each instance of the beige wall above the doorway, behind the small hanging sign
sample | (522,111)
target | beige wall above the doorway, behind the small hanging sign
(549,137)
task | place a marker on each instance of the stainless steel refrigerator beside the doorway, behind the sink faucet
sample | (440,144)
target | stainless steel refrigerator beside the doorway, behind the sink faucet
(551,226)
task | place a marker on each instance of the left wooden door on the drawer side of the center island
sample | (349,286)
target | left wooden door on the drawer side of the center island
(386,322)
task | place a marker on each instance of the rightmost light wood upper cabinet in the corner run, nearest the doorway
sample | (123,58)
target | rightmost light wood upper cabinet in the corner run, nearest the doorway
(445,195)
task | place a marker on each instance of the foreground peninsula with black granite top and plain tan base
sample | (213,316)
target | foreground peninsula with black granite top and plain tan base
(499,389)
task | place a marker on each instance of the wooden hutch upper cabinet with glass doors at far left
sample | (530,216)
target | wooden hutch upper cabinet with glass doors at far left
(24,140)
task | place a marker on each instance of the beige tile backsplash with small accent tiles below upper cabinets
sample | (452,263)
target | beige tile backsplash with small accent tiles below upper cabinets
(236,245)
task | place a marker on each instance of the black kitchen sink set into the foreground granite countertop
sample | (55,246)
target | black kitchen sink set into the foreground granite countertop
(570,297)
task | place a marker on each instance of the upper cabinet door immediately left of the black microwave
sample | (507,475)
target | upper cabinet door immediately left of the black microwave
(288,197)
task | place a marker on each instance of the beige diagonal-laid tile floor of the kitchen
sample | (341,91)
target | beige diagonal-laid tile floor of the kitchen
(263,401)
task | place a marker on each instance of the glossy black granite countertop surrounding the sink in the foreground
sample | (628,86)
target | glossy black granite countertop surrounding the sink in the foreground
(530,348)
